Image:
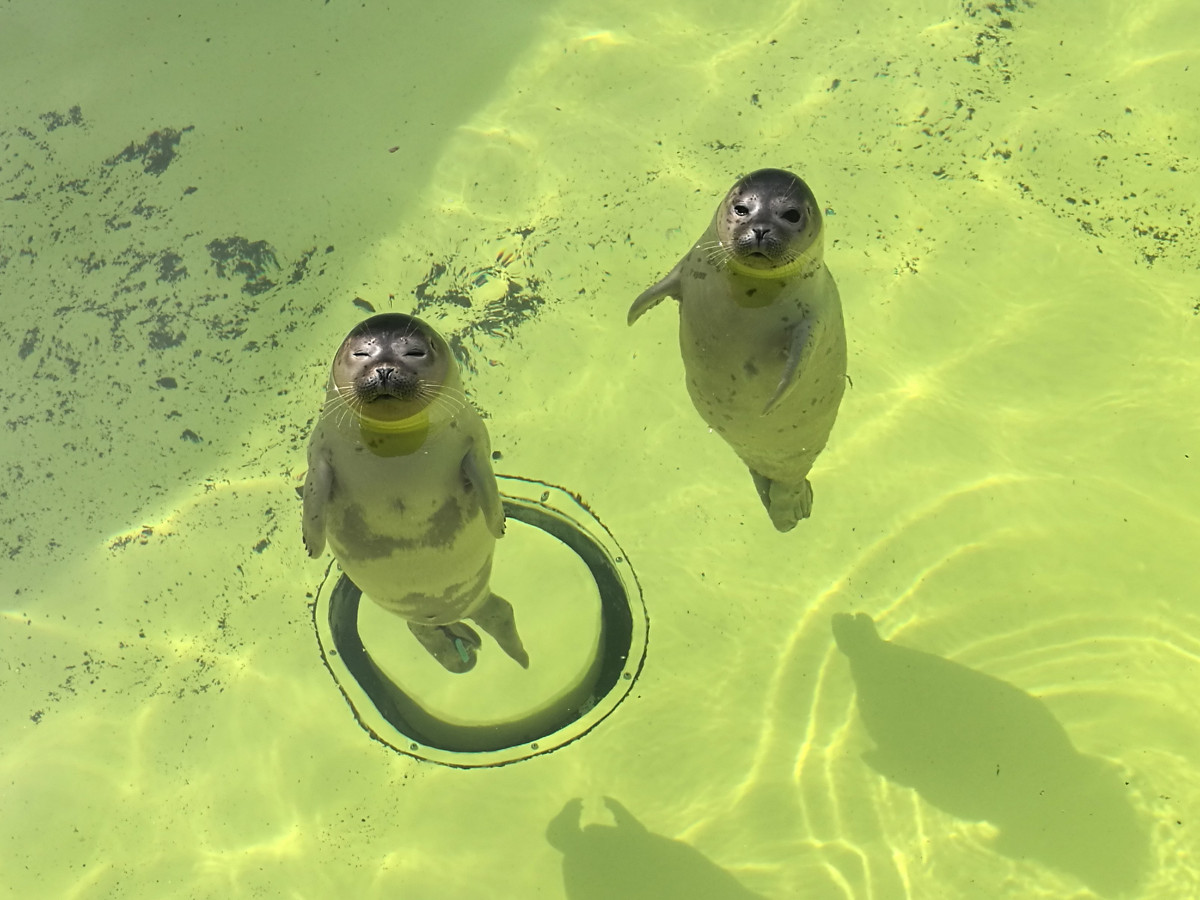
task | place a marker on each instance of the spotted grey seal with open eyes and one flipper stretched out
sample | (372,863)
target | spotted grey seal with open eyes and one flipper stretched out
(761,334)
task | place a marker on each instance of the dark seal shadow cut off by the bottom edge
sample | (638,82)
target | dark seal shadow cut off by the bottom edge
(626,861)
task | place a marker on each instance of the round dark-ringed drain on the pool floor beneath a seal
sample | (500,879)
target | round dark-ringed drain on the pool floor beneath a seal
(580,613)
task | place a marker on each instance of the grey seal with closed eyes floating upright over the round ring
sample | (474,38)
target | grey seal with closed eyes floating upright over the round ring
(400,484)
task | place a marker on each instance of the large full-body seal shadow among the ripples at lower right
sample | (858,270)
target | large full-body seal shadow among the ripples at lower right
(983,751)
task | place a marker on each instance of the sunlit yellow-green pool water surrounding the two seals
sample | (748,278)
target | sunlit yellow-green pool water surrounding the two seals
(200,201)
